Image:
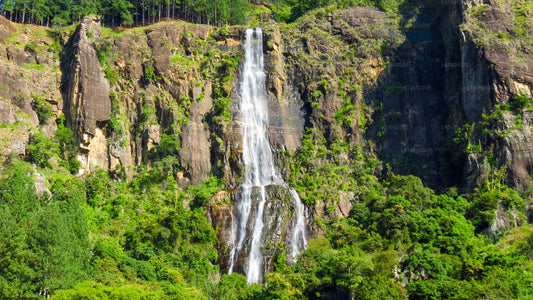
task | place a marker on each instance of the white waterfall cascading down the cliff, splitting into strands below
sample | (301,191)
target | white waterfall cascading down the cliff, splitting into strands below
(259,167)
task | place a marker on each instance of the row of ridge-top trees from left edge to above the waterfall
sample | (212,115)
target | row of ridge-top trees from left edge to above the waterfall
(124,12)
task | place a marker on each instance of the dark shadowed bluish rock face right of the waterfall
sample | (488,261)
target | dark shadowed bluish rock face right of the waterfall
(416,94)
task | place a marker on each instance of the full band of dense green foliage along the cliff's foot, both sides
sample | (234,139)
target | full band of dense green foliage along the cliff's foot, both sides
(112,239)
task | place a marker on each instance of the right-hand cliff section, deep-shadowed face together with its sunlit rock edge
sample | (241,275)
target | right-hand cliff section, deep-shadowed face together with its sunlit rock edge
(459,70)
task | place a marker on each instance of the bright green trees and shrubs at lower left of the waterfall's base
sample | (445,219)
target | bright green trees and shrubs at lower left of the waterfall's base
(143,244)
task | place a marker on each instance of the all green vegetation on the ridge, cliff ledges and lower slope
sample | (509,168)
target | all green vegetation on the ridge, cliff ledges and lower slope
(105,237)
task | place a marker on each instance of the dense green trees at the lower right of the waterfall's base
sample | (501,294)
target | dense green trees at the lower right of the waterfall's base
(401,231)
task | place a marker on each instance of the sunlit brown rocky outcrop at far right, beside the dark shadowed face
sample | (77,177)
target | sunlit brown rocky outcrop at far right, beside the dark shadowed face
(495,73)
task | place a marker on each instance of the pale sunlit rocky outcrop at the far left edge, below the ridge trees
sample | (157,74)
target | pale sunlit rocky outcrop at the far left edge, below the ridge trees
(29,72)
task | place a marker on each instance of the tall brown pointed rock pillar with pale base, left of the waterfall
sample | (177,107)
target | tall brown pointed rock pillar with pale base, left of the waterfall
(86,91)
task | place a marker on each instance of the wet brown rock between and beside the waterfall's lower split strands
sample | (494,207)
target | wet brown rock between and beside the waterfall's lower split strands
(277,231)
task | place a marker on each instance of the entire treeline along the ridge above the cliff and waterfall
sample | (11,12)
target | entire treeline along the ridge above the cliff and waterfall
(142,12)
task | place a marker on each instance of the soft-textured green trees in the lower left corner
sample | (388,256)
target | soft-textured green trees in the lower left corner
(44,238)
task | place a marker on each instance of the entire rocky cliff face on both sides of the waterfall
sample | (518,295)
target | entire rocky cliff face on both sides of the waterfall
(419,86)
